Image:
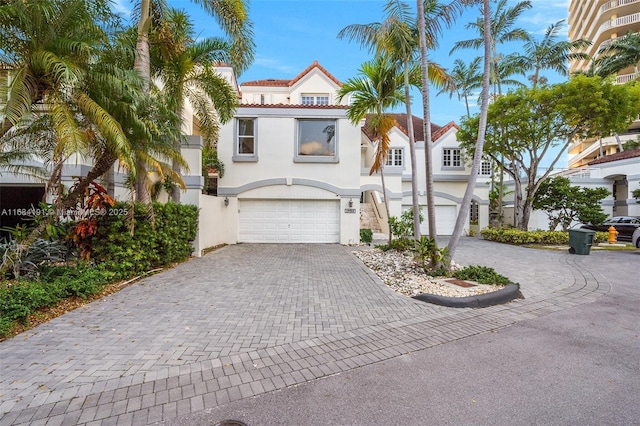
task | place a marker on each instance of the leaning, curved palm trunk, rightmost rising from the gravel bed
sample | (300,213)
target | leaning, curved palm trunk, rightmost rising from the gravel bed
(482,127)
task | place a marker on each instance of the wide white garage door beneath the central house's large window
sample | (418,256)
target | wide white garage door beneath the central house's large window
(289,221)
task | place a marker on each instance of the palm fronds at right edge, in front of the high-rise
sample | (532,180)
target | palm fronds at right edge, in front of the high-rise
(623,52)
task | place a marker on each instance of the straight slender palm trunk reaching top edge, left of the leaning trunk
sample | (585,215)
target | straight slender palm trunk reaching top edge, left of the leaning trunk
(428,161)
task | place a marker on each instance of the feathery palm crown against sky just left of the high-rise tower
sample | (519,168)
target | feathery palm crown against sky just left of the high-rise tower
(548,53)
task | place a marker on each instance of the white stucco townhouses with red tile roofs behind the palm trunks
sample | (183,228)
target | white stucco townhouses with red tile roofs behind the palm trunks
(297,170)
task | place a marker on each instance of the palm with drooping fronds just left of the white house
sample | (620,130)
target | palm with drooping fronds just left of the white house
(186,69)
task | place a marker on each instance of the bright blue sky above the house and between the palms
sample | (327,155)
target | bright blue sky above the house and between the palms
(291,34)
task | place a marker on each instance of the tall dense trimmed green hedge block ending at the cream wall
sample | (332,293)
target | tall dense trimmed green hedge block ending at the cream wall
(170,241)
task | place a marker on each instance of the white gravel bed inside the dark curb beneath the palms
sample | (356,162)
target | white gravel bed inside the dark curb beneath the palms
(403,275)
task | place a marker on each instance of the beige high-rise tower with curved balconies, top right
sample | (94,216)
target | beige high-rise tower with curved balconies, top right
(601,22)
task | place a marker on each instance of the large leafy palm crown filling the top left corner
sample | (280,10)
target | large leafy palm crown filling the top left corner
(51,49)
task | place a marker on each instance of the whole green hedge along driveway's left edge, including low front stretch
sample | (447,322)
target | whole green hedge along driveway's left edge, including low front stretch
(116,254)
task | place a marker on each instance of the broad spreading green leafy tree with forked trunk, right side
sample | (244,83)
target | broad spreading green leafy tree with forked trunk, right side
(525,124)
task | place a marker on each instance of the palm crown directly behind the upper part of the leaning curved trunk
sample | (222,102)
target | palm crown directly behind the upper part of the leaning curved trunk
(502,21)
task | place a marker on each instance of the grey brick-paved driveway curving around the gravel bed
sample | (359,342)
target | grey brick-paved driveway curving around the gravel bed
(249,319)
